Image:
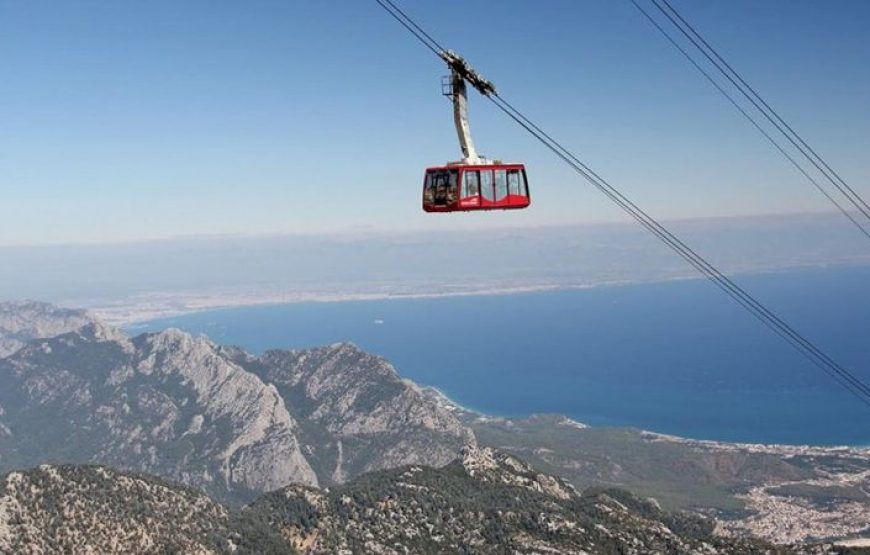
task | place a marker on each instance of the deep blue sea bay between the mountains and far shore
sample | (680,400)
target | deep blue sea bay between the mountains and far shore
(677,357)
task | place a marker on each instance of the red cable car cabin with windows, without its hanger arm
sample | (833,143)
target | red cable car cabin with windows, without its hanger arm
(463,188)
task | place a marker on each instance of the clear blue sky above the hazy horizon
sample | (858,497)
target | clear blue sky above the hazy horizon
(137,120)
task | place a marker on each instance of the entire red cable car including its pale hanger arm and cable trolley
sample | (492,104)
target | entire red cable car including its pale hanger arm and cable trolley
(475,182)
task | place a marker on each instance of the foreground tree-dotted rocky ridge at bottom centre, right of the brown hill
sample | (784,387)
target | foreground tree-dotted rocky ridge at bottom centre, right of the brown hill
(487,502)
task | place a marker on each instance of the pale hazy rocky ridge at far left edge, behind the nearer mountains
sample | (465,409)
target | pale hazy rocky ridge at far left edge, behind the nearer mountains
(22,321)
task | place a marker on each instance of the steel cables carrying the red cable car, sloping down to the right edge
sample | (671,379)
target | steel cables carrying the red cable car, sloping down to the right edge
(773,322)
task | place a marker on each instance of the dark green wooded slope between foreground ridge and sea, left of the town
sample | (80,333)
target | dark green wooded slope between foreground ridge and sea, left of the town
(677,475)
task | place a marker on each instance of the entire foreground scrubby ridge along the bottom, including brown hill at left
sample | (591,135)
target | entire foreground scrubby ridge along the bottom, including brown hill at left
(484,502)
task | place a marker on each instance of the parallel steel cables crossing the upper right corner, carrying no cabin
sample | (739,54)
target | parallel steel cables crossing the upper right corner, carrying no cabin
(759,103)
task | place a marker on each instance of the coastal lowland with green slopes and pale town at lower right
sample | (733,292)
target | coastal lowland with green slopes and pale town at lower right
(785,494)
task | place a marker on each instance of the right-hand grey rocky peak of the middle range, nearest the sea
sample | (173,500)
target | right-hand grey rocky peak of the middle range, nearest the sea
(358,415)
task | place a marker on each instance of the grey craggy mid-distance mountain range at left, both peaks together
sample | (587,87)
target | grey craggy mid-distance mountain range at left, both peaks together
(212,417)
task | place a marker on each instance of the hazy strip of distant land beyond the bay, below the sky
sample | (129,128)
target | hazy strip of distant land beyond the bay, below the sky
(126,283)
